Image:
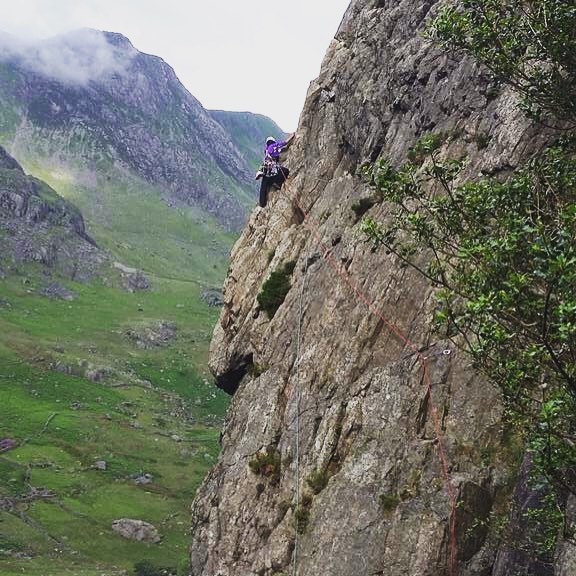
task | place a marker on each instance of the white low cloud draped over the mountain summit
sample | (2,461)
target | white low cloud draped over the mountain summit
(74,58)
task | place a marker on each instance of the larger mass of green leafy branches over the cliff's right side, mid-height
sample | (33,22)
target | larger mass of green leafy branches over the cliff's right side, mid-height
(504,257)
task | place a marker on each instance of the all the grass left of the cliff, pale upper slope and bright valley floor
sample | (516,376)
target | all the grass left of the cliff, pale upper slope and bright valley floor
(120,421)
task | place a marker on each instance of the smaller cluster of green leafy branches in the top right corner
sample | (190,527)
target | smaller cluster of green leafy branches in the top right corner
(528,45)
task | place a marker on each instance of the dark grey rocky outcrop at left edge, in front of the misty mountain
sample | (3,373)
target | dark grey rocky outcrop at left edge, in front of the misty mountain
(37,225)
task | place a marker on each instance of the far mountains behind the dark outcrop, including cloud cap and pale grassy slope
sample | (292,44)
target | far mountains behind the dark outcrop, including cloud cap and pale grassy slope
(161,184)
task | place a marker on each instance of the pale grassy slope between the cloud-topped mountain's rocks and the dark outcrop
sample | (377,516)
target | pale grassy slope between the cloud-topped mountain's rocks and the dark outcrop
(130,219)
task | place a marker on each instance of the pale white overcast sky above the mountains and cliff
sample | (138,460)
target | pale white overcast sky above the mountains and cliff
(253,55)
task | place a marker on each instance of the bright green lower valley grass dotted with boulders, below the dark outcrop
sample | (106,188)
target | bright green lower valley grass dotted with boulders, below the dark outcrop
(129,426)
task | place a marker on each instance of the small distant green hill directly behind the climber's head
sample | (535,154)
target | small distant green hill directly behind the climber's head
(248,132)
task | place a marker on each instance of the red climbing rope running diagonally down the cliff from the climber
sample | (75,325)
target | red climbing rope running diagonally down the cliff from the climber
(362,297)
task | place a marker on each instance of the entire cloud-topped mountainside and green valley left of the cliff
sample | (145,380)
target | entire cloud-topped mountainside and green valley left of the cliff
(120,198)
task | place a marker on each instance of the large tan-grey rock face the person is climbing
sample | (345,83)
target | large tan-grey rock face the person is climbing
(326,396)
